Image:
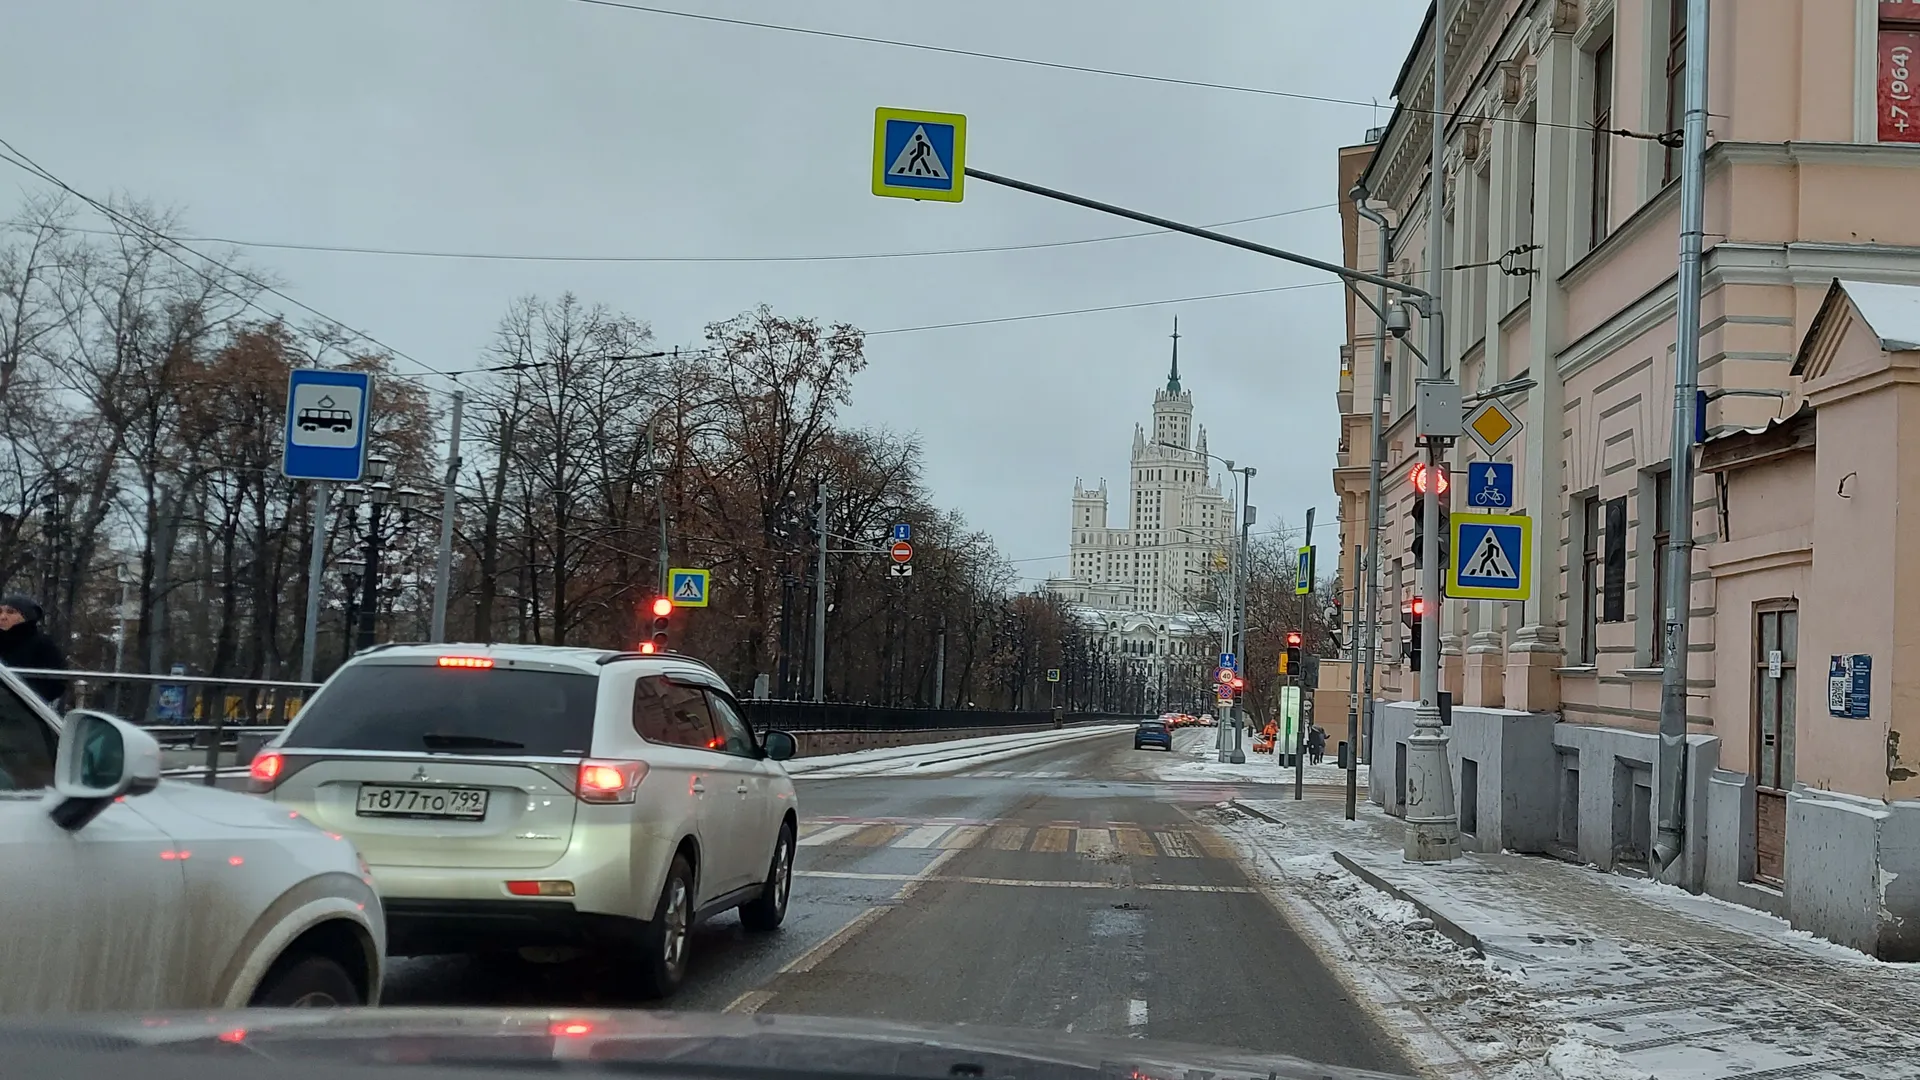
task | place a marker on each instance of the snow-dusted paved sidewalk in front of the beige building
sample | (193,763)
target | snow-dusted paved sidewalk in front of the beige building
(1585,975)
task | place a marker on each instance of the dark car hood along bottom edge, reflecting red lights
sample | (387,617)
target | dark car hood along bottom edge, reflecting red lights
(627,1043)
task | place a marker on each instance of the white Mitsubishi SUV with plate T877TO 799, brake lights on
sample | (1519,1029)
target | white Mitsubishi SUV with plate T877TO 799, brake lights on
(514,797)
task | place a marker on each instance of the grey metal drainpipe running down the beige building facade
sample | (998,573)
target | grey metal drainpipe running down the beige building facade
(1671,825)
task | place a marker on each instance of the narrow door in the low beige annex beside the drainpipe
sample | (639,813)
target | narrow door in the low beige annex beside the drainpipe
(1775,681)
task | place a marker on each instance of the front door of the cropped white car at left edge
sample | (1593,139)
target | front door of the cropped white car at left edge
(84,916)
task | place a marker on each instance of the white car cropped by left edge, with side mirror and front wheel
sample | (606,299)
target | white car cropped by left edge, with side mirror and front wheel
(122,893)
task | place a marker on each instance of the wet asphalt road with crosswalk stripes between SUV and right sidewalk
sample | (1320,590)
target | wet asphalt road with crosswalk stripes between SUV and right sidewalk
(1057,891)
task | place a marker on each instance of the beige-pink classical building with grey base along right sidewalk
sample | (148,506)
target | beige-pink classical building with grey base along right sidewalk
(1564,218)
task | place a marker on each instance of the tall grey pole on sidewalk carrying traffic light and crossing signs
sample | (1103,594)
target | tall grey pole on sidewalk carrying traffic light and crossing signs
(1433,829)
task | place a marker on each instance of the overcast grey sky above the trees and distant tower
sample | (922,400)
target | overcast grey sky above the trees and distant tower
(565,128)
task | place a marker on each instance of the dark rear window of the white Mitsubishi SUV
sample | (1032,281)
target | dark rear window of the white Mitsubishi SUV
(450,710)
